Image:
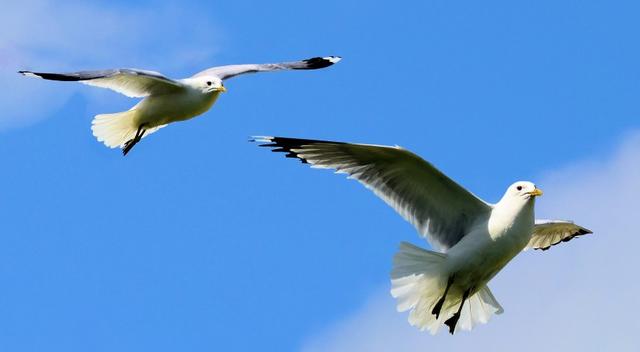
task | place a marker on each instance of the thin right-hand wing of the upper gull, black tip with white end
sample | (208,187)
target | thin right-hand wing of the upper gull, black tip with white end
(226,72)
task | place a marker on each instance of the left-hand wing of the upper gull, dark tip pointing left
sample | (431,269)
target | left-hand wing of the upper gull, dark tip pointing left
(130,82)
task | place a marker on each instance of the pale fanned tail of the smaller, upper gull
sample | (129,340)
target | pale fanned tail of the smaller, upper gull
(114,130)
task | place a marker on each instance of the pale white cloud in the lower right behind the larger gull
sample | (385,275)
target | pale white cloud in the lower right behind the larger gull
(579,295)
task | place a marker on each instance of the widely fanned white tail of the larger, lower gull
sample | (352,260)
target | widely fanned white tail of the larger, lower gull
(419,280)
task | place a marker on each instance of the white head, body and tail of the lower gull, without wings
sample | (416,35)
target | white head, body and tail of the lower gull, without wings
(491,243)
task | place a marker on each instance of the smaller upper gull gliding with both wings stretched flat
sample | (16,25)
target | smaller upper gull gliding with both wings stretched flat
(165,100)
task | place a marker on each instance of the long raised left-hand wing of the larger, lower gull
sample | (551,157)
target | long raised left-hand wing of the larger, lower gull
(438,207)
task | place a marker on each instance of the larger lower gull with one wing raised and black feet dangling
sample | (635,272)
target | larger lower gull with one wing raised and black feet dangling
(475,239)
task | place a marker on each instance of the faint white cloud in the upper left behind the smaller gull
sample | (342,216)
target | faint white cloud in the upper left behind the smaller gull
(70,35)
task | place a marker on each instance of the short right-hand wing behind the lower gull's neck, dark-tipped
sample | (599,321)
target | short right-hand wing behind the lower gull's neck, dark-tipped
(547,233)
